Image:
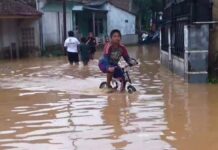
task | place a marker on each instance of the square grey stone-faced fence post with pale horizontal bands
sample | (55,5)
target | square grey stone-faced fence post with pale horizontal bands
(196,42)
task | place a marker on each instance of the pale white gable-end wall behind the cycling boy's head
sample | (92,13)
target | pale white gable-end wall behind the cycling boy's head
(116,20)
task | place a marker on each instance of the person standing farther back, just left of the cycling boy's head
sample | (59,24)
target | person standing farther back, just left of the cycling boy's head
(91,42)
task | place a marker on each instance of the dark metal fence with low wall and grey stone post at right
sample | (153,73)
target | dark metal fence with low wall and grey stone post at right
(185,38)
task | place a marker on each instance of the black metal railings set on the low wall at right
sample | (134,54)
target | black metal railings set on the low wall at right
(177,14)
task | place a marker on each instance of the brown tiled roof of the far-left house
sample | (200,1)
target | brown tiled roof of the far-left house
(17,9)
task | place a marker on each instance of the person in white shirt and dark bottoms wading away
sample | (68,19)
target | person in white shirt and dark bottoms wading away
(71,44)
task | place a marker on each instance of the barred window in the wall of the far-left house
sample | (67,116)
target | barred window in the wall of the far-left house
(28,38)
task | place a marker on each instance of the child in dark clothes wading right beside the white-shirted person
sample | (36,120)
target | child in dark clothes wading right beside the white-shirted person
(84,51)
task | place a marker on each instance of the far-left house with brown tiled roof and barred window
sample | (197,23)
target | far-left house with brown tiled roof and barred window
(19,30)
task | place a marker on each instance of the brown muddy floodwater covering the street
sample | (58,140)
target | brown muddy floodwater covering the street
(46,104)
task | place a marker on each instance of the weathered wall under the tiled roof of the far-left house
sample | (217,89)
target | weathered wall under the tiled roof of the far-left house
(10,32)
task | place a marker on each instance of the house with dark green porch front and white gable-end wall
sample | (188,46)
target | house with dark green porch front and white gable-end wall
(107,15)
